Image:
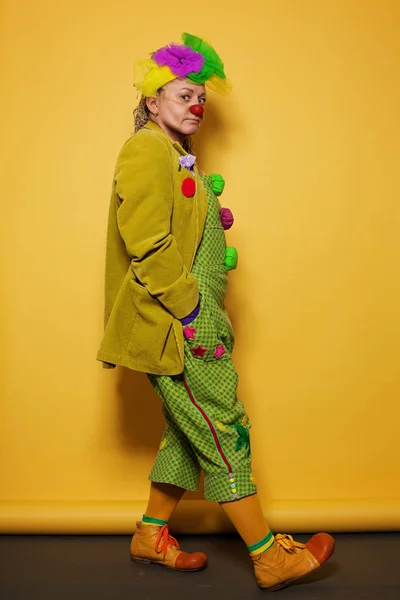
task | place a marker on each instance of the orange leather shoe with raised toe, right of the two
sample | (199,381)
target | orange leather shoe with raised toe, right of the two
(289,560)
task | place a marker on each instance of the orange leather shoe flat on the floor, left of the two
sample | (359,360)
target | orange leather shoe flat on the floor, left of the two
(152,543)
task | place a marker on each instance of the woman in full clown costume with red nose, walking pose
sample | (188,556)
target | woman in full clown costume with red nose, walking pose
(167,266)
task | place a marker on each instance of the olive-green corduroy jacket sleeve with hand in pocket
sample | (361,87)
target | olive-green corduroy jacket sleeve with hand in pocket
(144,184)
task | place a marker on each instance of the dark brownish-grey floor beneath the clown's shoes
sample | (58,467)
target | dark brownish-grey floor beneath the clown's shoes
(364,567)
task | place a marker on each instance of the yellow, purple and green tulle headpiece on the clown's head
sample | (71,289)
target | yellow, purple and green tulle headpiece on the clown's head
(195,60)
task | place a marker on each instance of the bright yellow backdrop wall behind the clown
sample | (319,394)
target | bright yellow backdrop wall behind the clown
(308,143)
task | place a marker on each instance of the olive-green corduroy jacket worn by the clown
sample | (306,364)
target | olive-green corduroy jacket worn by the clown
(153,234)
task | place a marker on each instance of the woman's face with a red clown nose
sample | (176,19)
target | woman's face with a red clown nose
(170,108)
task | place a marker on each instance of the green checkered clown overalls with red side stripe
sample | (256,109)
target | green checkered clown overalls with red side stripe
(206,424)
